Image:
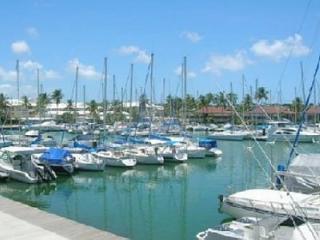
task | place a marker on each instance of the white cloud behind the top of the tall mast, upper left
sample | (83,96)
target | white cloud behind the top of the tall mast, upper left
(85,71)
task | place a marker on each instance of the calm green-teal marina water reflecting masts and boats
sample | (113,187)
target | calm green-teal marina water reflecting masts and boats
(155,202)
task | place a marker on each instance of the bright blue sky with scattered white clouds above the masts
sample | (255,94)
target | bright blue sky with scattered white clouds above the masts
(224,41)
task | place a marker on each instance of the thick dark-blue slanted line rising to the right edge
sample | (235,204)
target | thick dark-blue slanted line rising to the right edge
(303,114)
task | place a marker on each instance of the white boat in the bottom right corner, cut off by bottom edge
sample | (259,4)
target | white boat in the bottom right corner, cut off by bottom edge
(269,228)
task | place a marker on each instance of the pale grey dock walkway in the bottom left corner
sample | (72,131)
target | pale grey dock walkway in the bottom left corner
(19,221)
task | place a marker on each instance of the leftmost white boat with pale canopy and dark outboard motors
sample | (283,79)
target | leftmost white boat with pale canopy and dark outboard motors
(17,163)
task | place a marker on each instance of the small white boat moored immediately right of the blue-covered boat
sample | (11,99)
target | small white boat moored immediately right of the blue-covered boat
(88,162)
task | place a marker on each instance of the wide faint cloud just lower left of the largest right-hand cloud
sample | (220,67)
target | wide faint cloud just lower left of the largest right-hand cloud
(218,63)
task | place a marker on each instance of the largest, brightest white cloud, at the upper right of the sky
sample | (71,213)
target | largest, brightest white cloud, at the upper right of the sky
(279,49)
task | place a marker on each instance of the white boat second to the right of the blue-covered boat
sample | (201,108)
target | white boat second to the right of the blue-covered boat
(115,158)
